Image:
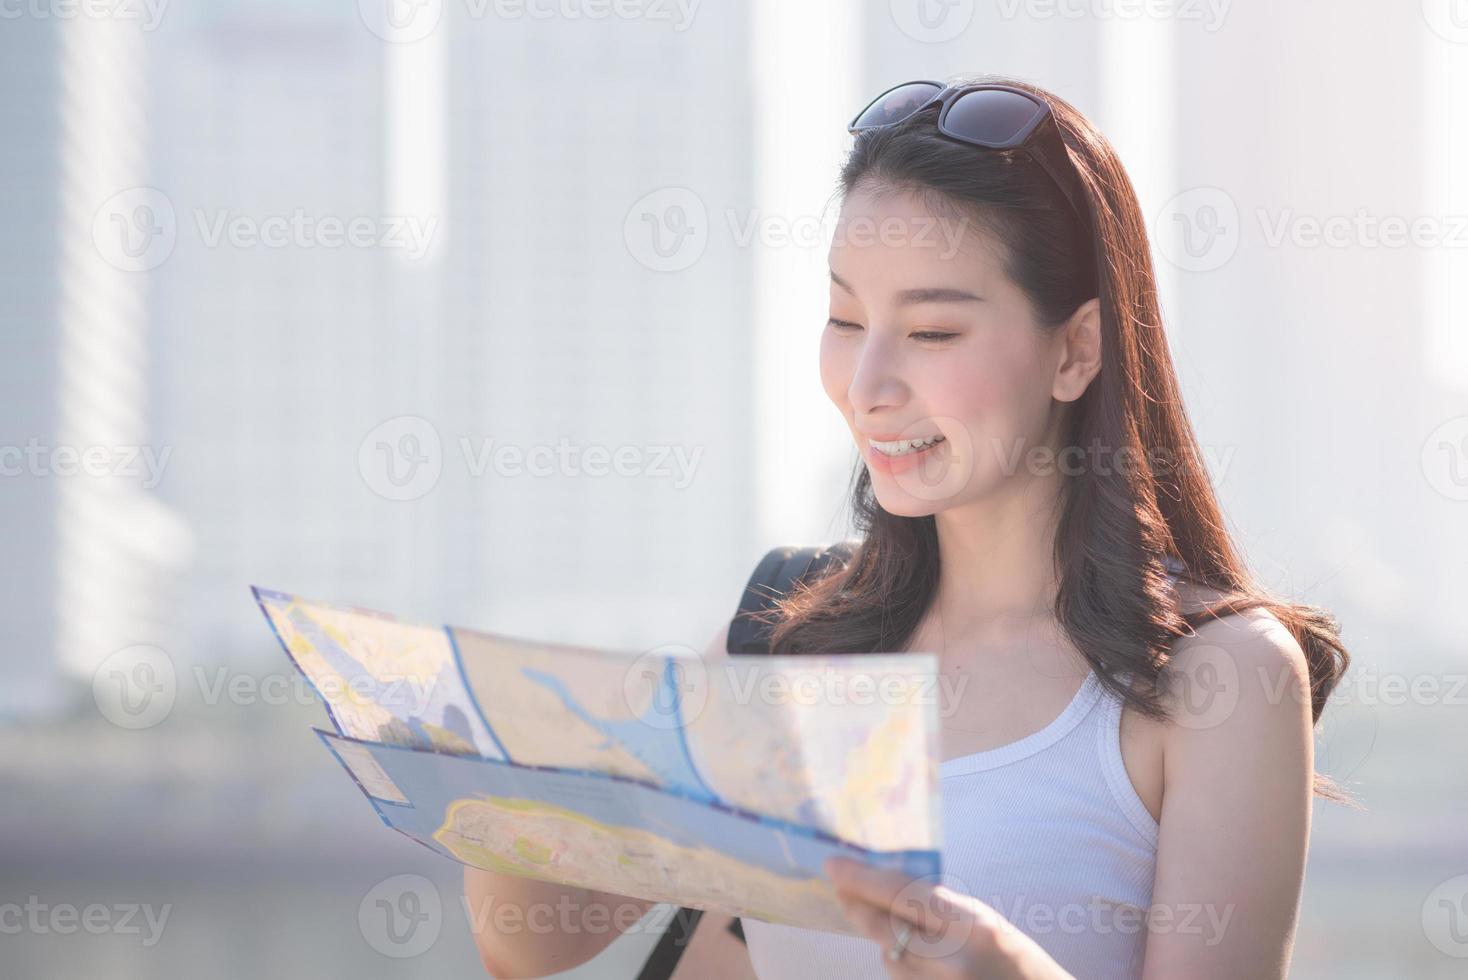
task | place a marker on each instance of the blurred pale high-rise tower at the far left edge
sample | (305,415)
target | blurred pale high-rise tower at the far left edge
(90,549)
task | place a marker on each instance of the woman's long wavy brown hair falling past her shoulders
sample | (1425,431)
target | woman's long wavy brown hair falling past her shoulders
(1118,526)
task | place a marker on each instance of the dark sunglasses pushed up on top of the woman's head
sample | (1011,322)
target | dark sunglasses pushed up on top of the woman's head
(984,115)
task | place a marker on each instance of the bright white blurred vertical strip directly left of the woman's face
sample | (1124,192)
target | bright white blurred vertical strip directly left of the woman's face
(807,86)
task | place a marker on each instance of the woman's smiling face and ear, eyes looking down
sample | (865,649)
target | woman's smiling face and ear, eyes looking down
(931,341)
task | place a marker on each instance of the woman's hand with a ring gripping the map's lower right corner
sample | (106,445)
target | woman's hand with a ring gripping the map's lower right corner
(948,934)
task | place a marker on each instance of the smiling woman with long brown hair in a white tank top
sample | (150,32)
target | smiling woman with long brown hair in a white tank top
(1128,762)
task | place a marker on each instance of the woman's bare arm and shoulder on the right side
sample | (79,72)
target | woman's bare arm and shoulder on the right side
(1238,764)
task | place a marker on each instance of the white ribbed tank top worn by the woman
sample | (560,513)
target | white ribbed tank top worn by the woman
(1047,830)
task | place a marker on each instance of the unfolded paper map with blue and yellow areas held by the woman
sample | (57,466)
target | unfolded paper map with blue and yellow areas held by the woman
(719,784)
